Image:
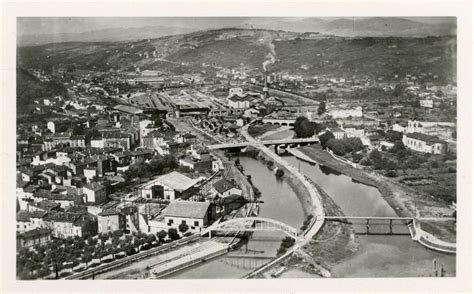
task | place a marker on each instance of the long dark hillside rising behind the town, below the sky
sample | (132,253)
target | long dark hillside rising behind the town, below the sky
(373,56)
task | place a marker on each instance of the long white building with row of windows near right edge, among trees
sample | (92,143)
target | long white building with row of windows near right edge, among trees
(425,143)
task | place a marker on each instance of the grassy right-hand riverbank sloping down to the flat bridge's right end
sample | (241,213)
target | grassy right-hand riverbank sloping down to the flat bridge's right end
(402,199)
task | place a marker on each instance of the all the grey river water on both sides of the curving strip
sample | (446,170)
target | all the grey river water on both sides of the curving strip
(378,256)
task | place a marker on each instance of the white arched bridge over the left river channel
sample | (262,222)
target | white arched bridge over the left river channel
(252,224)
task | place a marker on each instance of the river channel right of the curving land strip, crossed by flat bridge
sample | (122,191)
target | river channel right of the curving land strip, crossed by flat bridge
(378,255)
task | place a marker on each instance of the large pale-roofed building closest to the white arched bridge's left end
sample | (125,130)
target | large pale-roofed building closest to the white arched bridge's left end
(196,215)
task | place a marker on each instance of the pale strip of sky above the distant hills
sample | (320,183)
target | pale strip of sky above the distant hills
(48,25)
